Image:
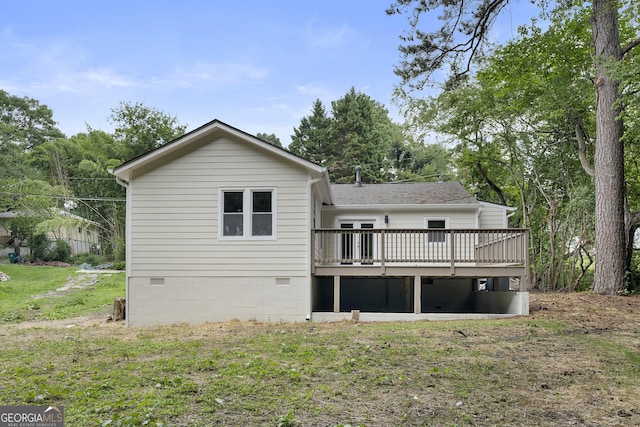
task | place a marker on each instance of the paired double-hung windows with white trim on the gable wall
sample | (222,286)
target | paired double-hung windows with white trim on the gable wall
(247,213)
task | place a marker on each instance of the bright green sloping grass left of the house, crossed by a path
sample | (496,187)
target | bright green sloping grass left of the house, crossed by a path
(17,302)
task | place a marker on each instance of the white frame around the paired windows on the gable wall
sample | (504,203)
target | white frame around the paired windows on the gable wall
(247,213)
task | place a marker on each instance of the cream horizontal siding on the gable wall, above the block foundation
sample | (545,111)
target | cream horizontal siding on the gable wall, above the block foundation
(175,219)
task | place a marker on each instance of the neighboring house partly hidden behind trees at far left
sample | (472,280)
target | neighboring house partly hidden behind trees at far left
(82,235)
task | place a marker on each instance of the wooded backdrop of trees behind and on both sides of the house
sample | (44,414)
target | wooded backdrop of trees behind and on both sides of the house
(548,122)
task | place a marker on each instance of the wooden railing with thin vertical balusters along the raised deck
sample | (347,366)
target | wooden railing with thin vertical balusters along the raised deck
(420,246)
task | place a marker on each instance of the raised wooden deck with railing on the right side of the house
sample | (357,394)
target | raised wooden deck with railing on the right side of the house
(420,252)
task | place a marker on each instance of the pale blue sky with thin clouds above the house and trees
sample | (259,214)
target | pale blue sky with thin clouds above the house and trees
(256,65)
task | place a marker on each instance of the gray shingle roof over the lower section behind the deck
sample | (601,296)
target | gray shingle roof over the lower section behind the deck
(419,193)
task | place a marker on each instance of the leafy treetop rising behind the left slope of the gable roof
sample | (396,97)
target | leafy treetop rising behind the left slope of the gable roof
(143,128)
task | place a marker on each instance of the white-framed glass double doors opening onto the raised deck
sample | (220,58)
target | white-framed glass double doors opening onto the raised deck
(357,246)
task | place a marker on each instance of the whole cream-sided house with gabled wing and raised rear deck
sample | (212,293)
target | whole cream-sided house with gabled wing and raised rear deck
(222,225)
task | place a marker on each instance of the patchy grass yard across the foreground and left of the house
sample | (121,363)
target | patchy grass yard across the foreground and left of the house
(574,361)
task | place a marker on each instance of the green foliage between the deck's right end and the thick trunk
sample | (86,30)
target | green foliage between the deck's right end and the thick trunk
(514,128)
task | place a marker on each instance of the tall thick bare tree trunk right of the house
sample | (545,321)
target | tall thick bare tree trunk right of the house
(609,153)
